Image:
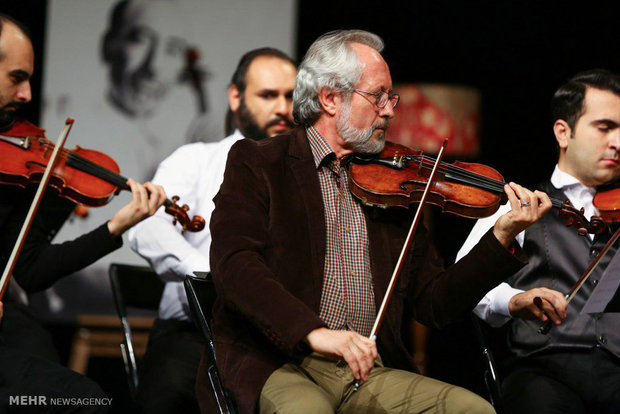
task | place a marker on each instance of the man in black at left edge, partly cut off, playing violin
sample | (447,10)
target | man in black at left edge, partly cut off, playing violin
(28,360)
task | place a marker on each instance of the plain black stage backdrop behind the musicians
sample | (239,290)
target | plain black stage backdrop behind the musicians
(515,53)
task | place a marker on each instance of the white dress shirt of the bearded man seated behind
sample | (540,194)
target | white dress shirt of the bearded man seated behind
(194,172)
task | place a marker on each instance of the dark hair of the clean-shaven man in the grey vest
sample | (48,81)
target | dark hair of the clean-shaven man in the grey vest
(568,101)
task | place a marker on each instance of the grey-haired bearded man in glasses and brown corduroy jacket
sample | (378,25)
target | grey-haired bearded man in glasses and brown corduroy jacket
(300,266)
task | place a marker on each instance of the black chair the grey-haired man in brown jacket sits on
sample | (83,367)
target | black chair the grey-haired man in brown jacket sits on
(201,296)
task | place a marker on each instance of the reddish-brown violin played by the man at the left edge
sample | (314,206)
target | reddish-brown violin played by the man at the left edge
(83,176)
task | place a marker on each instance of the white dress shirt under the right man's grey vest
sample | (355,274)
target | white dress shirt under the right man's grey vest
(493,308)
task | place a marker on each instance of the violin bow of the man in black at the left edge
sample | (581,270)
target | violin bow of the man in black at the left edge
(4,281)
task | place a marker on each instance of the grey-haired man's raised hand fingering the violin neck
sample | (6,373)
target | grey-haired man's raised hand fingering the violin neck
(527,208)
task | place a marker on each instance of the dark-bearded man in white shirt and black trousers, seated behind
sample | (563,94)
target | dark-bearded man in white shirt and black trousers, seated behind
(260,101)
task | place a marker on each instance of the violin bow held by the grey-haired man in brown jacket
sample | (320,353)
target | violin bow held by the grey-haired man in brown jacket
(405,250)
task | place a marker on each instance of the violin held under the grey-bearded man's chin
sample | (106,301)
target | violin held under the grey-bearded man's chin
(397,176)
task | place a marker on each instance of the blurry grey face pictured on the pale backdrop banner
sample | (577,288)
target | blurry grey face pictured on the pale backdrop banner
(145,48)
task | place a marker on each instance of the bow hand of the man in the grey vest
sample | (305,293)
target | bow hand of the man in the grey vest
(539,303)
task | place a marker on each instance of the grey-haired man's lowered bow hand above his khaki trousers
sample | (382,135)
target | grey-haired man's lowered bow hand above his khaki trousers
(358,351)
